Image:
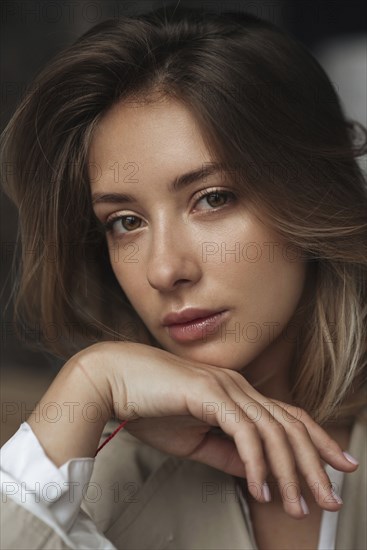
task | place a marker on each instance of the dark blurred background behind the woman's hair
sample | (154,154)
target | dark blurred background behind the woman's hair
(32,32)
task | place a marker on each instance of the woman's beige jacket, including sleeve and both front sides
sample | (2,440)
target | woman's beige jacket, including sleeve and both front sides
(150,500)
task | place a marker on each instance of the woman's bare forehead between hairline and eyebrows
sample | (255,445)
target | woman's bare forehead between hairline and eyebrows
(156,138)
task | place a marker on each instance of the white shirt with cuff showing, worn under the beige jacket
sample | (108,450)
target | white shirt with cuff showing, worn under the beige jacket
(55,494)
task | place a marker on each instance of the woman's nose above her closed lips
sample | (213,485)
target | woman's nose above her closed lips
(173,261)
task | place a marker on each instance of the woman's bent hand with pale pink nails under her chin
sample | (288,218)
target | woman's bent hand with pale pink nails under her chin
(175,405)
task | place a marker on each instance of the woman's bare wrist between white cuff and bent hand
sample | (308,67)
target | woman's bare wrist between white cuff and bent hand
(69,419)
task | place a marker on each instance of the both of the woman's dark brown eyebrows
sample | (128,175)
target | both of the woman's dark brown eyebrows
(178,183)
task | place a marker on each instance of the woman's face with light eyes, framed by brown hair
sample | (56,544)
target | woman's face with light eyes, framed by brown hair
(196,246)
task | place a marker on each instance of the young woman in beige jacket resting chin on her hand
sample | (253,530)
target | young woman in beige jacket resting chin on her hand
(193,227)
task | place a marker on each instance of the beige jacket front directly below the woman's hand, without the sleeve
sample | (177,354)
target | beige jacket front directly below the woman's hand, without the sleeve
(164,502)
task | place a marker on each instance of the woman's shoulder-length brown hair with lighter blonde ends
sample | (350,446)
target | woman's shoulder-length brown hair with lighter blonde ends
(265,107)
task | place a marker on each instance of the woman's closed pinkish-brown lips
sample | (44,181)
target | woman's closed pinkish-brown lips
(197,329)
